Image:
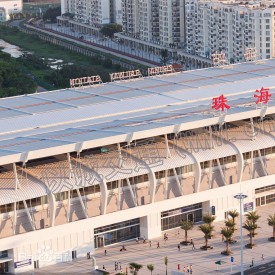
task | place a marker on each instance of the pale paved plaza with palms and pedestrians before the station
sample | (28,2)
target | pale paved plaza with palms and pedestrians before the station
(203,262)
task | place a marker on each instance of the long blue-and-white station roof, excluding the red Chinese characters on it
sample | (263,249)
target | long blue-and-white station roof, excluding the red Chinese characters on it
(69,120)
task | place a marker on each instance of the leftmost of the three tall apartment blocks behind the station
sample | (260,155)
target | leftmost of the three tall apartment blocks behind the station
(93,12)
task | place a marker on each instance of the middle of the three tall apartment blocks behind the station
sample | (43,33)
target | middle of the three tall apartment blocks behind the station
(157,21)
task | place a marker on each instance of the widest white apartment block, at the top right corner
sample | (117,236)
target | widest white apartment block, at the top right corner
(230,26)
